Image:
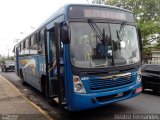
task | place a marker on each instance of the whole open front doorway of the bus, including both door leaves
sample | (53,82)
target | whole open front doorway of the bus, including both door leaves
(54,65)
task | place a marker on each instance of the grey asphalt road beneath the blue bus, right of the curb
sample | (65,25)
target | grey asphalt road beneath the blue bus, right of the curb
(147,103)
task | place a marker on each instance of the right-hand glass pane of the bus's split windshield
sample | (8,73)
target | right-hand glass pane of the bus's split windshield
(125,44)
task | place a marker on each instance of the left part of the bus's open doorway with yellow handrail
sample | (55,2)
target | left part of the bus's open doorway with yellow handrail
(50,55)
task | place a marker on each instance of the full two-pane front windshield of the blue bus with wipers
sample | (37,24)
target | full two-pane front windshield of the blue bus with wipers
(103,44)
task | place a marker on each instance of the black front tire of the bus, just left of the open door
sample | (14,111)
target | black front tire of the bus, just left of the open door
(44,85)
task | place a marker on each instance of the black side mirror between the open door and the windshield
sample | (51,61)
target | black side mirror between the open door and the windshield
(64,32)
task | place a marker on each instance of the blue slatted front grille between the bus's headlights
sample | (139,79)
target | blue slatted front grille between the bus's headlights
(98,84)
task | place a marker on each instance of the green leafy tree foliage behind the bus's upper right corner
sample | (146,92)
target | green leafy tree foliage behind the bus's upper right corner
(147,14)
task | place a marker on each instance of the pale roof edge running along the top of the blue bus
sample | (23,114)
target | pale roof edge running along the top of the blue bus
(63,11)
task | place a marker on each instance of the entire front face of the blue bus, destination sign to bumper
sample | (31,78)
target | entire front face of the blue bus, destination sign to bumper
(102,57)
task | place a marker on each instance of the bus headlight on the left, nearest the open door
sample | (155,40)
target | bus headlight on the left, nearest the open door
(78,86)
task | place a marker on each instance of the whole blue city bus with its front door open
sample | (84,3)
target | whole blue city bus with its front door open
(84,56)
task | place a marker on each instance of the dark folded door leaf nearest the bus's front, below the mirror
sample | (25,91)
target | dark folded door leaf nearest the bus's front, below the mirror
(60,75)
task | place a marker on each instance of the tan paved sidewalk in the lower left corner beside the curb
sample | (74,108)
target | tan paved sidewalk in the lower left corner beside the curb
(13,104)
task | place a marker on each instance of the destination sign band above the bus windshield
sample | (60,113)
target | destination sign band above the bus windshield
(98,12)
